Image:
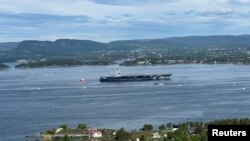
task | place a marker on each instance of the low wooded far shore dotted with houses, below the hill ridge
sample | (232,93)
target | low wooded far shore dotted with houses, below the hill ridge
(146,57)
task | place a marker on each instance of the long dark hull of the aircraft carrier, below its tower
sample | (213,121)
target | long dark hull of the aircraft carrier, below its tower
(124,78)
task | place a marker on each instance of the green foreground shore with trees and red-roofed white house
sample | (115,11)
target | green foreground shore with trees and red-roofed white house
(190,131)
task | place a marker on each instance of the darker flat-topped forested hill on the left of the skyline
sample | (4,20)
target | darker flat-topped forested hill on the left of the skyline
(61,46)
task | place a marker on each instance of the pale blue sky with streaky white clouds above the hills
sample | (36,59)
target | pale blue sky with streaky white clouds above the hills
(107,20)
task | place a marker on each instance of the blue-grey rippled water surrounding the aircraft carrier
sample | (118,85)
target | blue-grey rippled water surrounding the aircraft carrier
(32,100)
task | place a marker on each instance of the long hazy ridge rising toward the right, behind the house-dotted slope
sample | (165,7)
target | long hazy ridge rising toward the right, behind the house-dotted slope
(225,41)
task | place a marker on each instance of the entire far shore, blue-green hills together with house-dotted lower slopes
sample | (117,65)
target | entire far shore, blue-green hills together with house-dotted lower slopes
(178,50)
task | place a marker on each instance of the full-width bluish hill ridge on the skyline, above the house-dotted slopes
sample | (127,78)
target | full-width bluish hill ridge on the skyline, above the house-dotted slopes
(73,46)
